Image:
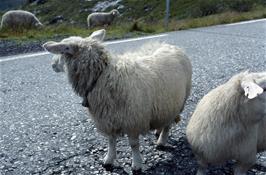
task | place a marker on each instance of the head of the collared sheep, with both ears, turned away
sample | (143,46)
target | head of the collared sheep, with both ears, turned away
(70,48)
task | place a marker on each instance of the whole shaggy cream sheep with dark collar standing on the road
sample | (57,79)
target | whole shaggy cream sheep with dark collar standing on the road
(130,93)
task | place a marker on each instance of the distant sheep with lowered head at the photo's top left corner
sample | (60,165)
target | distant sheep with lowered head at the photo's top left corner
(18,19)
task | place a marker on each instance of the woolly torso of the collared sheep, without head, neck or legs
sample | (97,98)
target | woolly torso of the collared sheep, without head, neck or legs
(143,93)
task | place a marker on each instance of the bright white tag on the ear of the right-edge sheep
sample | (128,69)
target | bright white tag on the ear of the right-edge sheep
(251,89)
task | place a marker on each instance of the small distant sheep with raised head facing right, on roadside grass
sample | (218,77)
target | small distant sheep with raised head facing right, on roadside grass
(101,18)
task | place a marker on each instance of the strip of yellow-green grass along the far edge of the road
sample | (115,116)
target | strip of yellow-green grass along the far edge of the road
(135,28)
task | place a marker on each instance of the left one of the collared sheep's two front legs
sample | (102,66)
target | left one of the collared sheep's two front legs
(111,153)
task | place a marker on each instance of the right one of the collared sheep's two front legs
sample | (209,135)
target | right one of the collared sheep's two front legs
(137,160)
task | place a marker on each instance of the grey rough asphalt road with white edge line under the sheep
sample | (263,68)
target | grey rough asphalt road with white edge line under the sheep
(45,130)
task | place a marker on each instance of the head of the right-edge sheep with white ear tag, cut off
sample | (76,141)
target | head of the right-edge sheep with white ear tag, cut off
(254,91)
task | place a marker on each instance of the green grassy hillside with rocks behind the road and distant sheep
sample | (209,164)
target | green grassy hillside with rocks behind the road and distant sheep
(138,17)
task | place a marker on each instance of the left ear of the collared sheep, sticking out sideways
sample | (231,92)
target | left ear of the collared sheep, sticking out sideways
(59,48)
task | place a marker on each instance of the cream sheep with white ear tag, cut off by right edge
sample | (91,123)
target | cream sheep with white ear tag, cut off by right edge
(229,123)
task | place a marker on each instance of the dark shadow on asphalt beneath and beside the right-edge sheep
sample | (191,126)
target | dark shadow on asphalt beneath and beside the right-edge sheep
(183,162)
